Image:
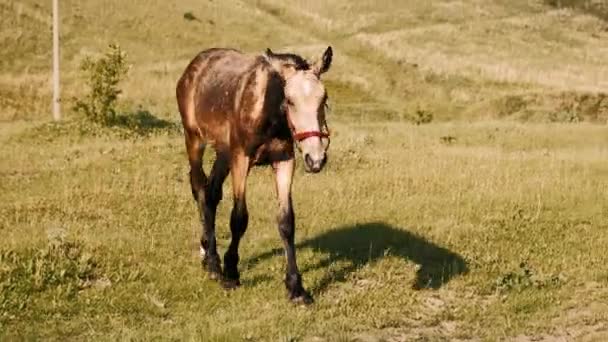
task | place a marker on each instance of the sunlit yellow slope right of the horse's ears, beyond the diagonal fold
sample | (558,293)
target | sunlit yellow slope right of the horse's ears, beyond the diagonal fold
(447,56)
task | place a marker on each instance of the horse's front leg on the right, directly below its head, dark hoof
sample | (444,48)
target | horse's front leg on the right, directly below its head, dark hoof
(293,279)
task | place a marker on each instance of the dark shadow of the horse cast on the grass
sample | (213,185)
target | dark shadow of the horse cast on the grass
(355,246)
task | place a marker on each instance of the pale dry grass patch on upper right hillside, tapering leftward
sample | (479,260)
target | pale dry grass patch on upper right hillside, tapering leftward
(500,50)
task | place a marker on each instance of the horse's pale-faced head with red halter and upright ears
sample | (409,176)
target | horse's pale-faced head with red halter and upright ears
(304,105)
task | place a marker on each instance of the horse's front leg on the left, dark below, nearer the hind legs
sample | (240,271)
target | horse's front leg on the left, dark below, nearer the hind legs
(238,220)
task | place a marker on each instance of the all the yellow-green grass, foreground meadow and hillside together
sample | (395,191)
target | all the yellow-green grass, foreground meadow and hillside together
(488,223)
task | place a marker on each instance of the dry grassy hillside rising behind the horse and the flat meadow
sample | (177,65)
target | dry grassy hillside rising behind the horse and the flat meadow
(465,59)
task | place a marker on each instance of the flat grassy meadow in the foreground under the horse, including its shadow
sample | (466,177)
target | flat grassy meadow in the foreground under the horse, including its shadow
(498,233)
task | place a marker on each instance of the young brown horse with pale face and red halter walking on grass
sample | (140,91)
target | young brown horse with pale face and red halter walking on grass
(251,110)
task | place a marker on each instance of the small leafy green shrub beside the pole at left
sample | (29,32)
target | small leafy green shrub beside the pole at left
(103,76)
